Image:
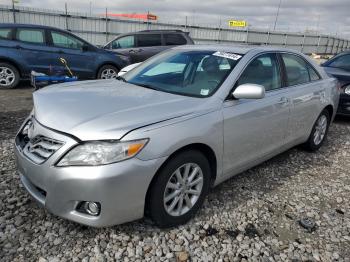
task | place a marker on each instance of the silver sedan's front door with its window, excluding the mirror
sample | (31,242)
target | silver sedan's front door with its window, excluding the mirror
(255,129)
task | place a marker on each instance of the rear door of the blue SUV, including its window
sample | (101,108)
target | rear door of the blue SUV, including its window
(31,44)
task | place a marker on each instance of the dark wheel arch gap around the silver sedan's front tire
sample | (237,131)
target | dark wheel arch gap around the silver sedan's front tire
(206,150)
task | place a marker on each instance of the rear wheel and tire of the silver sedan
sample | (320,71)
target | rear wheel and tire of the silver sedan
(319,132)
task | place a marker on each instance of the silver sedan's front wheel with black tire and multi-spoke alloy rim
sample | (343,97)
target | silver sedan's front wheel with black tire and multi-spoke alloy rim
(179,189)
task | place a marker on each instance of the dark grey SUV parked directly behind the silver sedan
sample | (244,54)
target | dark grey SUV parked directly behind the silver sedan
(140,46)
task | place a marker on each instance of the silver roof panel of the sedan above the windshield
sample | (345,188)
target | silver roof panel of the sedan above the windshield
(238,49)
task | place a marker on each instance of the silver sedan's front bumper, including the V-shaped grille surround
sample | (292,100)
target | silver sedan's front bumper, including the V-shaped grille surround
(120,188)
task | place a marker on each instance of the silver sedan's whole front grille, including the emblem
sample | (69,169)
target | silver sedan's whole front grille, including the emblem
(36,147)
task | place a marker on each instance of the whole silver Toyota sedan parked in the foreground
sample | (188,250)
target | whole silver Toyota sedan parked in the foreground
(153,143)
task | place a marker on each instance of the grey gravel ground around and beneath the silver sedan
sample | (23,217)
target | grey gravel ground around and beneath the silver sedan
(255,216)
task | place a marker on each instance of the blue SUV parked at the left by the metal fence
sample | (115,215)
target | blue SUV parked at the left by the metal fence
(24,48)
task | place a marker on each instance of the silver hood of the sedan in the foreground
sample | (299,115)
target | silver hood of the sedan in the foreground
(108,109)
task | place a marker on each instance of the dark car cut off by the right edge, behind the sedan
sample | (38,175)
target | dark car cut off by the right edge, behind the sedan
(339,67)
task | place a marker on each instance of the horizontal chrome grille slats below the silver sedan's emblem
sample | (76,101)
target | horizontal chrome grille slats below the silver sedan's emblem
(41,148)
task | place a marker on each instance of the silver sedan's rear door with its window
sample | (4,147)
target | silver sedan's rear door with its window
(305,94)
